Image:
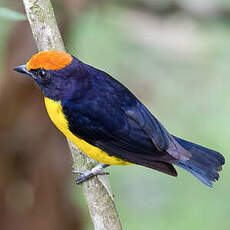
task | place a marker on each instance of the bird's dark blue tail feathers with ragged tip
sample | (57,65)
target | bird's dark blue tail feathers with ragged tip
(204,163)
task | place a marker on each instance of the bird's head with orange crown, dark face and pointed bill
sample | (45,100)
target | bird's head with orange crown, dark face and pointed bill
(53,71)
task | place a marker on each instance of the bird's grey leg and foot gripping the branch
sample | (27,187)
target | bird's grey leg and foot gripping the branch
(97,170)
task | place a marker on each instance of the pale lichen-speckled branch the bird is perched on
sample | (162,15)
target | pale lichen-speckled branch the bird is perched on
(97,189)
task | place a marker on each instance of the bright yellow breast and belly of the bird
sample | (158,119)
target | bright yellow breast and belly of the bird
(55,112)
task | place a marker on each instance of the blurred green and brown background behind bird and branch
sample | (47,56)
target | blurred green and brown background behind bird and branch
(174,55)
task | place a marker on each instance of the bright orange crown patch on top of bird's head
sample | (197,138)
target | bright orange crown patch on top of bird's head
(49,60)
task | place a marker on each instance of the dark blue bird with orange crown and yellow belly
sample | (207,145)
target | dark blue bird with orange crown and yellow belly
(108,123)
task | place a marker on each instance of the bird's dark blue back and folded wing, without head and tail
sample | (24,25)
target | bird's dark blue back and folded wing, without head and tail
(110,117)
